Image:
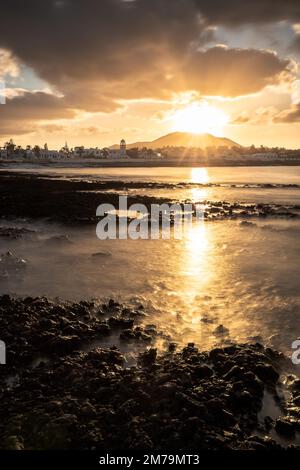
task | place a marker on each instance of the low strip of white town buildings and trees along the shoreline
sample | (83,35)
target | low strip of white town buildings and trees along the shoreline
(226,155)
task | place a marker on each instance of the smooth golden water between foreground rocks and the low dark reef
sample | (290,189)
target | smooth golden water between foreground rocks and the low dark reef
(243,277)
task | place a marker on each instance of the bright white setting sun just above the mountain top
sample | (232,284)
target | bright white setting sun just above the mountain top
(200,118)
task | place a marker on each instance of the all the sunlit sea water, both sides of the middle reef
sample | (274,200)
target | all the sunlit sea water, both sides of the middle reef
(244,277)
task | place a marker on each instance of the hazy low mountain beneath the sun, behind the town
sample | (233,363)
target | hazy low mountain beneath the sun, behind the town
(184,139)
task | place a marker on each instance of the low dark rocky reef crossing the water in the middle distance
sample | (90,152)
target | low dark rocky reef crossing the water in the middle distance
(74,202)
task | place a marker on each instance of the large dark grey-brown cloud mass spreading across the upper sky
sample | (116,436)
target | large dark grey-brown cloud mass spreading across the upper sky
(98,52)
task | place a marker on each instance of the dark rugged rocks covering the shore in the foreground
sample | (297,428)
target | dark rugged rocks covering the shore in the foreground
(60,391)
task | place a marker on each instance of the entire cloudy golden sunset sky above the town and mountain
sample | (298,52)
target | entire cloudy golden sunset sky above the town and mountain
(91,72)
